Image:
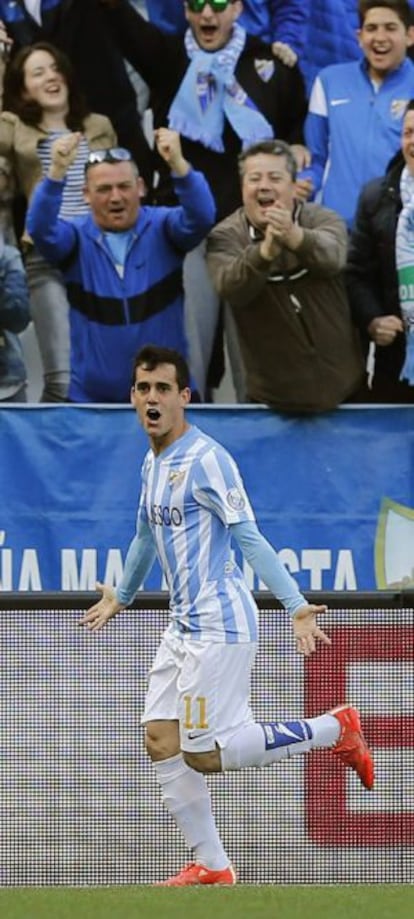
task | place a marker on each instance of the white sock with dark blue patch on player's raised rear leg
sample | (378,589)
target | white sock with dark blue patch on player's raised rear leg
(259,744)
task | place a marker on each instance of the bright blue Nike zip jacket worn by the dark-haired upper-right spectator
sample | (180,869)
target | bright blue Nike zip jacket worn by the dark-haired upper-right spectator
(353,129)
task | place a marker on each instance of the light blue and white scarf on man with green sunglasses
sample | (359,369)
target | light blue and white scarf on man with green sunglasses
(209,93)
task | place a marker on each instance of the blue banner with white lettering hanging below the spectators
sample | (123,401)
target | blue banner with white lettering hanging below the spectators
(334,494)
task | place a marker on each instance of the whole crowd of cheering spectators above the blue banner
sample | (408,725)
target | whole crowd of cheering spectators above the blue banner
(263,218)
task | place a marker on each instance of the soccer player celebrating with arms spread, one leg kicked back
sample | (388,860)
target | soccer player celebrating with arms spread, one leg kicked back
(197,712)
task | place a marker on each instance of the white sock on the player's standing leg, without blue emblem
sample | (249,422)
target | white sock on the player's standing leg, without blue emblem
(187,798)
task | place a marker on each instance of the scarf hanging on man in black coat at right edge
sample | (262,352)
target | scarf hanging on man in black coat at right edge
(404,257)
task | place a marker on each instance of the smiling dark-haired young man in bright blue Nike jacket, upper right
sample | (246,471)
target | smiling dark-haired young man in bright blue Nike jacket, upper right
(353,126)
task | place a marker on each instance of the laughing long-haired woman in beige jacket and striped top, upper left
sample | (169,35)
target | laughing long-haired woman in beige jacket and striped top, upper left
(42,103)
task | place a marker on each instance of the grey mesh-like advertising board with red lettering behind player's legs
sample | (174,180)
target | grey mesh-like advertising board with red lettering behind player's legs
(79,803)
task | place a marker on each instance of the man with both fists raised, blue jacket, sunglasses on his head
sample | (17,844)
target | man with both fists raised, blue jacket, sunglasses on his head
(122,262)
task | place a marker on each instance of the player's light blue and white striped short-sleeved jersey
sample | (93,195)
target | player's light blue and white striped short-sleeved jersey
(190,495)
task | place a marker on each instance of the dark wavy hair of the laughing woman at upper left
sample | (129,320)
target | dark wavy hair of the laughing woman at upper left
(28,110)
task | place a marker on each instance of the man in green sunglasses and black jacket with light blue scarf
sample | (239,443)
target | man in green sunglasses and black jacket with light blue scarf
(222,90)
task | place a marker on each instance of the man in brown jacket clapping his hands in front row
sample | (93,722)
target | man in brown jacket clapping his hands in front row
(279,264)
